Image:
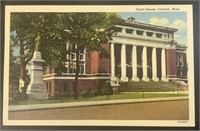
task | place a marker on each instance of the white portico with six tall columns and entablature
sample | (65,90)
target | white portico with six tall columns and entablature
(138,52)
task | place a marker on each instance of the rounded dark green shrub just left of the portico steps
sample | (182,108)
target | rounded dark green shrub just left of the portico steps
(106,88)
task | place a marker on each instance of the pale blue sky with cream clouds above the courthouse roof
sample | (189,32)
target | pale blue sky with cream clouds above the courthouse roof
(176,20)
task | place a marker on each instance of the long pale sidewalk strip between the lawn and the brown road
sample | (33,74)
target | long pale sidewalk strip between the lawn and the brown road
(91,103)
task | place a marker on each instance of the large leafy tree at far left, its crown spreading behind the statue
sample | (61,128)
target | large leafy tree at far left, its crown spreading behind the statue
(25,26)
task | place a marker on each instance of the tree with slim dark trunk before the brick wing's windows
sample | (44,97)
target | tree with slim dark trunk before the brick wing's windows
(88,31)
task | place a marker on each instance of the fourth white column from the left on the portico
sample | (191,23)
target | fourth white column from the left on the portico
(144,64)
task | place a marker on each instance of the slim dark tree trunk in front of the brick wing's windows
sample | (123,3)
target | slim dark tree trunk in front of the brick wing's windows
(76,75)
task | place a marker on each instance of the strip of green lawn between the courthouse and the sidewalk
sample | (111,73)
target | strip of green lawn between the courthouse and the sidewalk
(122,95)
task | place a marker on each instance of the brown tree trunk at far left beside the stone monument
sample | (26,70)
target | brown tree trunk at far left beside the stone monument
(22,68)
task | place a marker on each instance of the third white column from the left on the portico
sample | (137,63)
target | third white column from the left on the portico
(134,64)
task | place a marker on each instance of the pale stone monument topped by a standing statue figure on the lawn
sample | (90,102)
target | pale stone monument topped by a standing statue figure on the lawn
(37,89)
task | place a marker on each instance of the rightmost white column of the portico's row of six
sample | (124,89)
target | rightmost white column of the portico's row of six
(163,65)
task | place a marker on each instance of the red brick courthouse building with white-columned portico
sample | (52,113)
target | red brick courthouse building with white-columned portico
(138,51)
